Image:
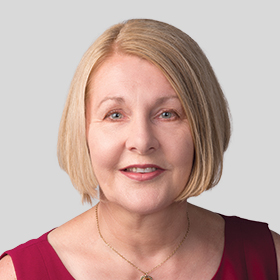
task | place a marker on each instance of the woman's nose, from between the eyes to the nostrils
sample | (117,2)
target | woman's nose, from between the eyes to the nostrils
(141,137)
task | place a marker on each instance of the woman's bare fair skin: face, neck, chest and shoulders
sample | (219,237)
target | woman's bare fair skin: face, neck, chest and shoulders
(142,151)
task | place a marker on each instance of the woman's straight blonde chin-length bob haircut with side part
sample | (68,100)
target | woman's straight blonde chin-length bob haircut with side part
(189,72)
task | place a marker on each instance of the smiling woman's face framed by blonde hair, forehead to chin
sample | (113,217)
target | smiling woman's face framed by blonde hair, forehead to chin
(139,139)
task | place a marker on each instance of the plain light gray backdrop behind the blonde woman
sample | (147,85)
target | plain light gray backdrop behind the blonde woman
(41,45)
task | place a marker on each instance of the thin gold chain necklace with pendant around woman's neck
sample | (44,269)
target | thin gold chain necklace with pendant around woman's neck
(145,276)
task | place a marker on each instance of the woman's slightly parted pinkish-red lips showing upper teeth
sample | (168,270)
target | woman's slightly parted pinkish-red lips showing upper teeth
(142,172)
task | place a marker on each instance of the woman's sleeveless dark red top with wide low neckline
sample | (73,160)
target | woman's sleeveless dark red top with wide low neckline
(249,253)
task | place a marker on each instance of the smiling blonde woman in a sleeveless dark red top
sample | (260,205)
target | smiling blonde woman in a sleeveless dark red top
(147,122)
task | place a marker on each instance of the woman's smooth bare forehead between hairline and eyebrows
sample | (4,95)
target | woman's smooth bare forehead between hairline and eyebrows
(125,73)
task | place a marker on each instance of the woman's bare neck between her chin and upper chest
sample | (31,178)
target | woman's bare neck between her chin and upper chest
(142,234)
